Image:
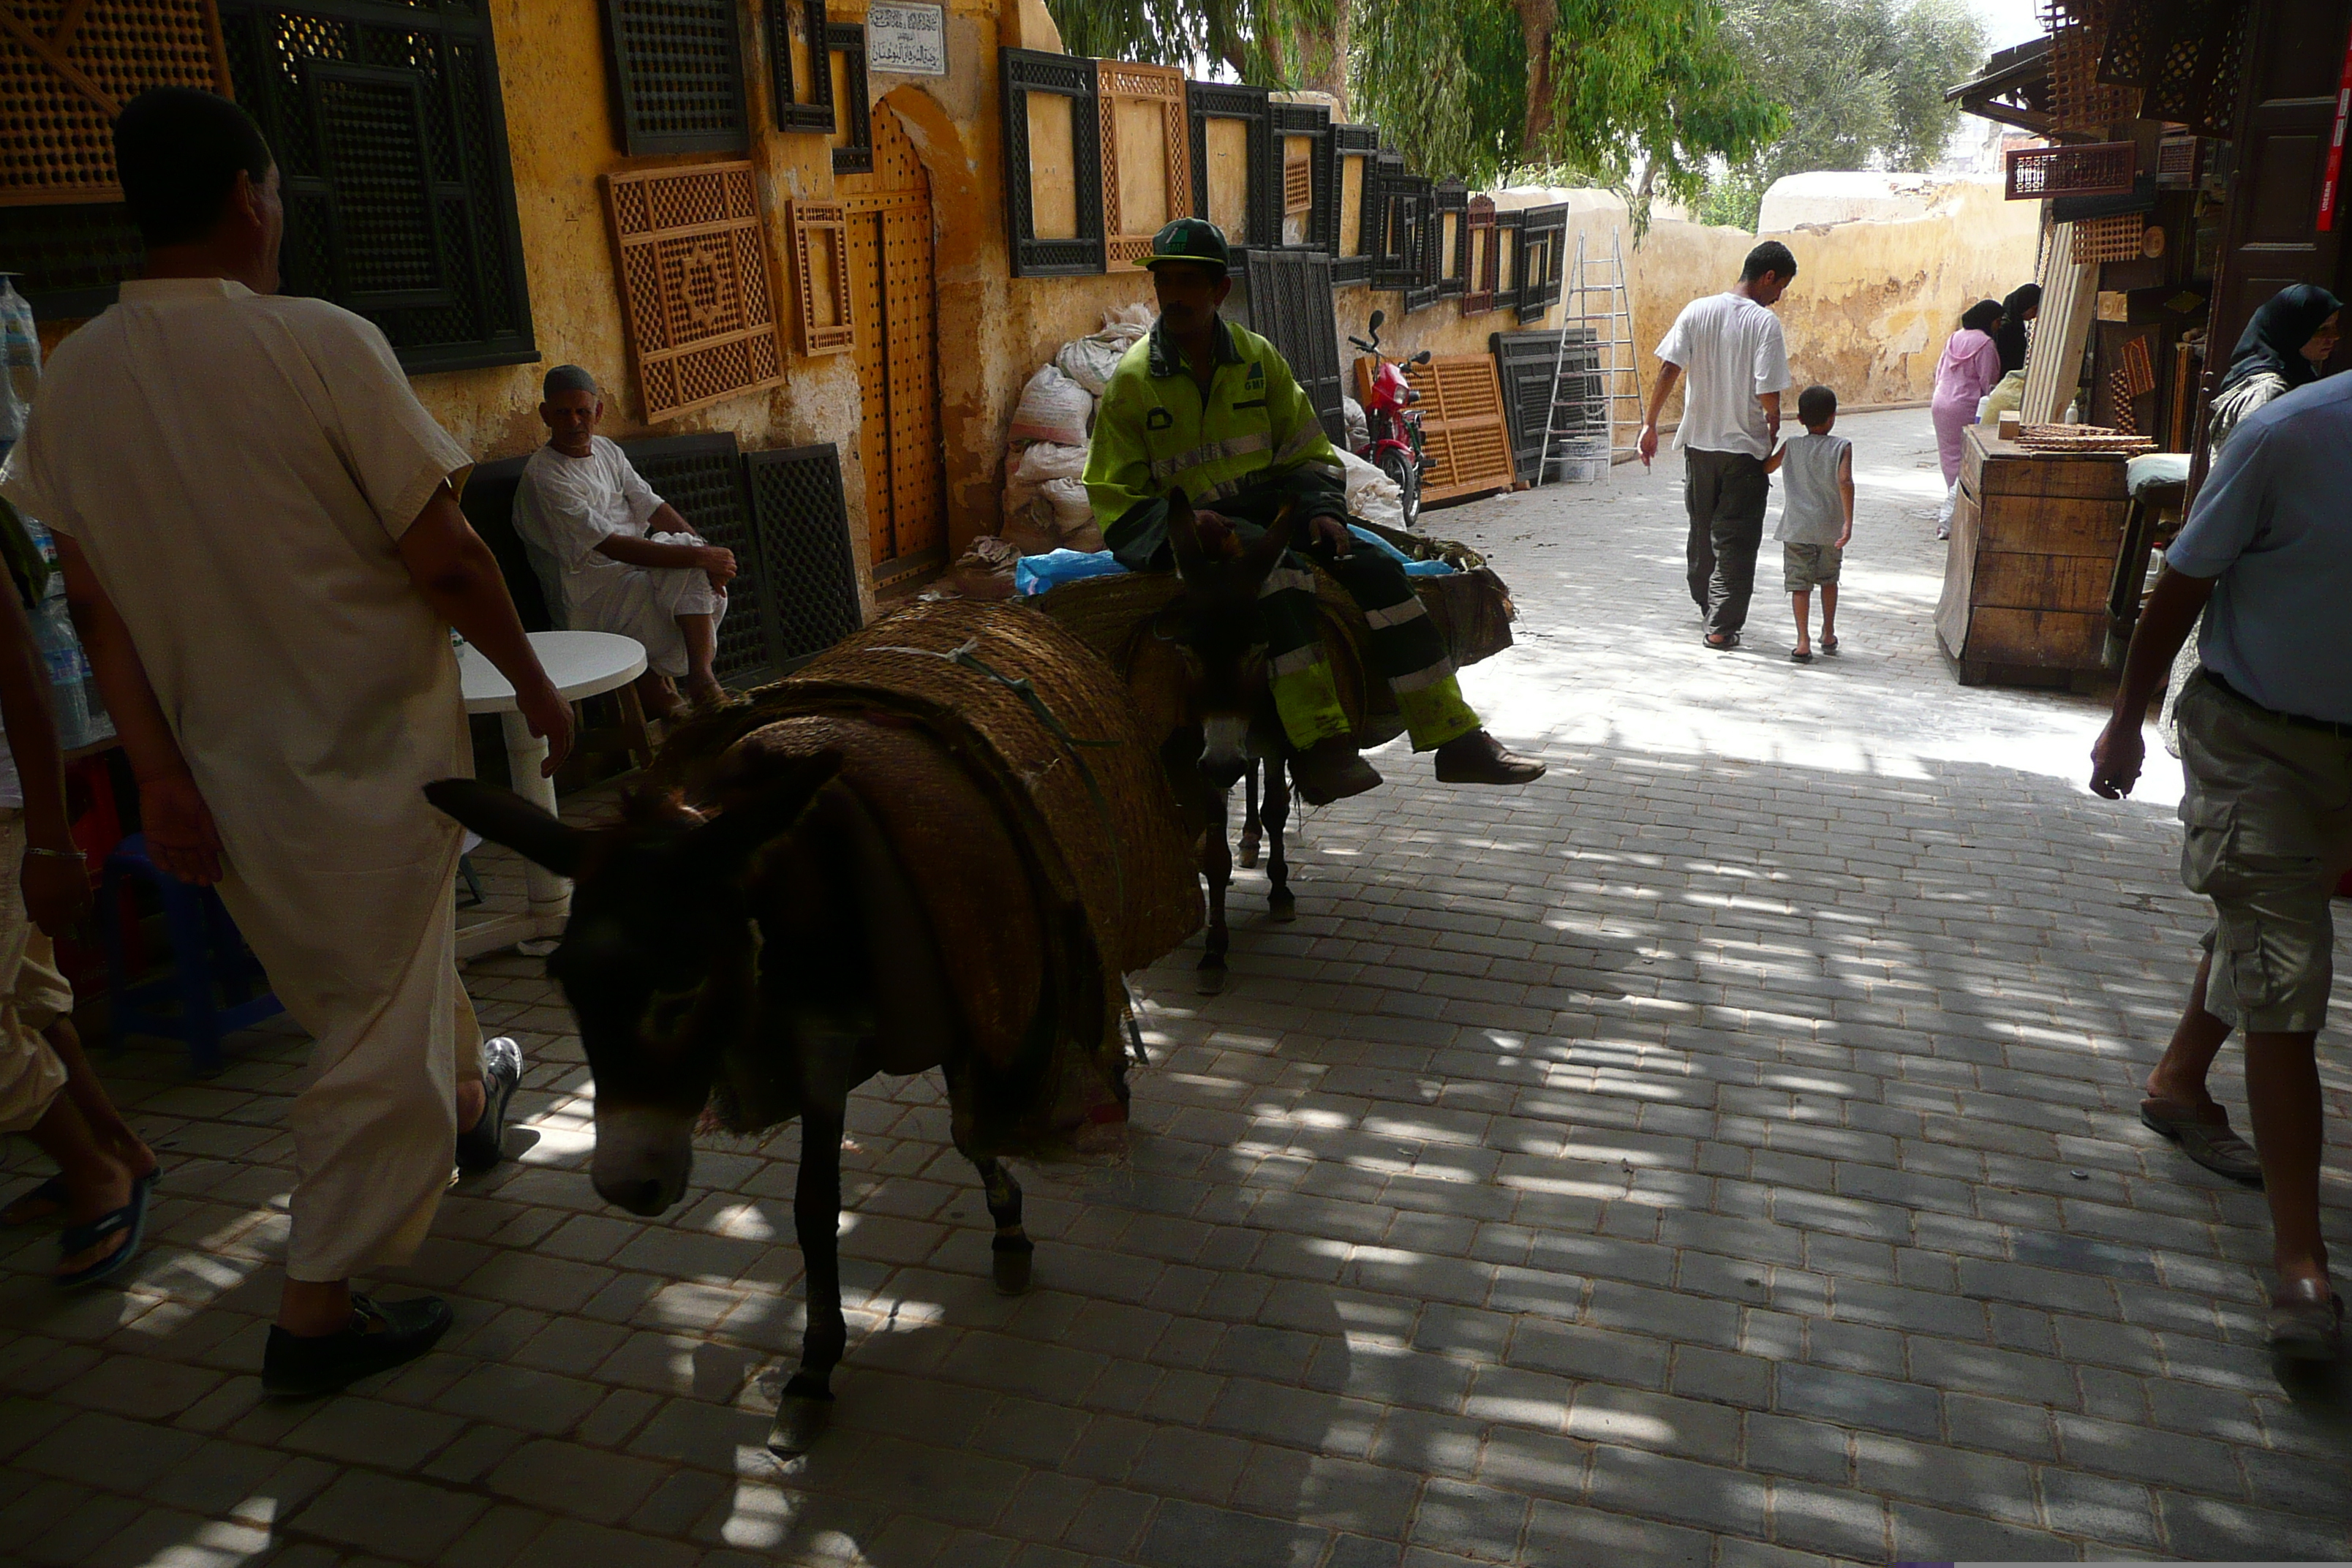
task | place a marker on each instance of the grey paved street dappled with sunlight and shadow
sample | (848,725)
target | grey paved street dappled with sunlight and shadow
(1720,1153)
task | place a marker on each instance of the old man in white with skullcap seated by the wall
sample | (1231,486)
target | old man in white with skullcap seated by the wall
(622,556)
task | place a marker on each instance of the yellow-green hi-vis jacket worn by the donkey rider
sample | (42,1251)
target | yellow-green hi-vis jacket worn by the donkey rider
(1156,431)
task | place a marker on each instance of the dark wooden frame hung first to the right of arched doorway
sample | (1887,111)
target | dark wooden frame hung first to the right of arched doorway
(1053,130)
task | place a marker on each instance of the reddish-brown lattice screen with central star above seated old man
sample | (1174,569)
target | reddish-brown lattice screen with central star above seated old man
(702,321)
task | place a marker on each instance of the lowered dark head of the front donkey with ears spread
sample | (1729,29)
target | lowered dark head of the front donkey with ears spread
(657,958)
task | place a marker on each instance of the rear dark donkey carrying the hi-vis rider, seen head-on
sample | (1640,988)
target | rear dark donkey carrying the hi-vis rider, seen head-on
(1210,650)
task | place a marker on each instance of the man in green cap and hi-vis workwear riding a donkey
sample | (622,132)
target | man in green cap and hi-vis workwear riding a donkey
(1212,410)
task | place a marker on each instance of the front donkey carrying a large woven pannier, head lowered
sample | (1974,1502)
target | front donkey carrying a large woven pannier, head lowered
(942,845)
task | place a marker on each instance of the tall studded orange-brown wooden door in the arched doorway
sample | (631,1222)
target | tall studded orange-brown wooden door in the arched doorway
(897,319)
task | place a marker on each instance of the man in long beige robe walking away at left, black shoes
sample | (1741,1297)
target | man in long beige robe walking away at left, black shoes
(265,554)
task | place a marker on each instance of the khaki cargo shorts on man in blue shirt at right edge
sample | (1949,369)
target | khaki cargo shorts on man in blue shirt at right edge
(2269,817)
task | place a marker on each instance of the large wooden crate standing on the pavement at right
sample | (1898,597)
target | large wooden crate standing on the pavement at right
(2033,549)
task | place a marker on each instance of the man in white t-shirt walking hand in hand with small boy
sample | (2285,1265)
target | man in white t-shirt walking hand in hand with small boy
(1730,347)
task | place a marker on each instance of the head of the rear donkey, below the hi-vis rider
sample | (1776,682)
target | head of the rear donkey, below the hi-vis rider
(1224,638)
